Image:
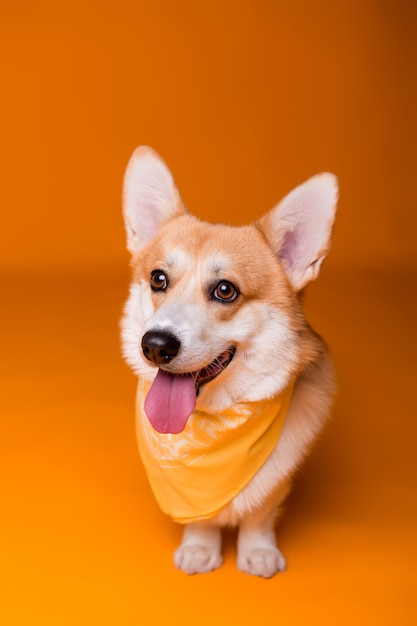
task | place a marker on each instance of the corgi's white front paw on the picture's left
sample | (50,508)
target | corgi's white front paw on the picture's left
(200,549)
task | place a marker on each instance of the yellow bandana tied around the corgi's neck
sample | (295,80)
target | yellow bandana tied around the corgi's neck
(195,473)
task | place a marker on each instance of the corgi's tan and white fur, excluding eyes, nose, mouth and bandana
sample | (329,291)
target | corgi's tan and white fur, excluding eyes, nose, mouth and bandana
(274,343)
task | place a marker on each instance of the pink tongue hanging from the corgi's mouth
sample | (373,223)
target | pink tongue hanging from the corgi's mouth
(170,401)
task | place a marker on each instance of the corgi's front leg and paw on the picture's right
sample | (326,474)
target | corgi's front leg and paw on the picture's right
(257,551)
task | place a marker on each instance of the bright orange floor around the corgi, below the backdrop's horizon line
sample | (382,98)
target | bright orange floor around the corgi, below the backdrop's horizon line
(82,539)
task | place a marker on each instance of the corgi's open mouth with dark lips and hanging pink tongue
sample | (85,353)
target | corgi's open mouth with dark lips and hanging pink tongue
(172,397)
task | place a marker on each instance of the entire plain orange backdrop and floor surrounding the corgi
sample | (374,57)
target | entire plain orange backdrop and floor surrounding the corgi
(243,100)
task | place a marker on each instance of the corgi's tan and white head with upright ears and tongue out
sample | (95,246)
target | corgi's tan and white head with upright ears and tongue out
(215,308)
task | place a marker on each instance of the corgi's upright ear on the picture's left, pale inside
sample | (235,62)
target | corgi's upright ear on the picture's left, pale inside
(150,197)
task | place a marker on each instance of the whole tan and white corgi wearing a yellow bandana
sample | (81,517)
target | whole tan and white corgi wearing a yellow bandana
(234,385)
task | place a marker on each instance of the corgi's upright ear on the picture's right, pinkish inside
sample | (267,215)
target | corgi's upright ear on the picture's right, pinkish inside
(299,228)
